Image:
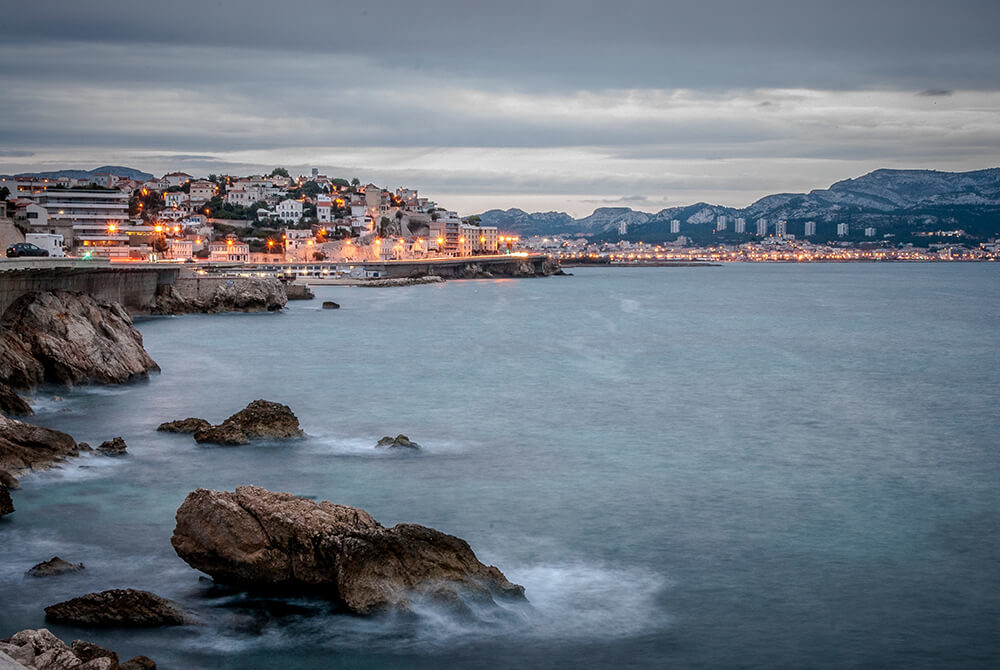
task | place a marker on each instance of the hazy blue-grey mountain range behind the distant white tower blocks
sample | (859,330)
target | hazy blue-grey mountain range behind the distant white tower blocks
(886,199)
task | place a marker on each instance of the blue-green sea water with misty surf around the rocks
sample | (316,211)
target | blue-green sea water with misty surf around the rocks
(752,465)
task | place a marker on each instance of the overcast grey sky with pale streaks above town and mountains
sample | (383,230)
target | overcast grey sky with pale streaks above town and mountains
(542,105)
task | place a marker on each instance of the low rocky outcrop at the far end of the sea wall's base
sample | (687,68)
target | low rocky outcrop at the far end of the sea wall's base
(230,294)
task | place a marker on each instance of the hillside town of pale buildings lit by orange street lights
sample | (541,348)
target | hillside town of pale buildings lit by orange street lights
(272,218)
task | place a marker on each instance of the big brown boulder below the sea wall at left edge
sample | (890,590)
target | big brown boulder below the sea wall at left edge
(69,338)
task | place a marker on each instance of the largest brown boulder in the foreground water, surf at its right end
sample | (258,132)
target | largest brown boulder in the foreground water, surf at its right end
(262,539)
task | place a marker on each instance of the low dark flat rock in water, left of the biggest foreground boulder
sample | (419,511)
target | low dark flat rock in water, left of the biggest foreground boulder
(117,607)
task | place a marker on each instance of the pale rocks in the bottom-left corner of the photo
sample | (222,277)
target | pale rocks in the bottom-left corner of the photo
(41,650)
